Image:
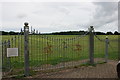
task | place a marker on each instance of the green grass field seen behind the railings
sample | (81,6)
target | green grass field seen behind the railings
(58,48)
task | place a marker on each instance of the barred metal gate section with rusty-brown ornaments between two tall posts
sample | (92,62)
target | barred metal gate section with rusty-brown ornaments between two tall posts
(57,51)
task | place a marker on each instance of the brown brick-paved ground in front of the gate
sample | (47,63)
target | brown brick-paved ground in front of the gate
(106,70)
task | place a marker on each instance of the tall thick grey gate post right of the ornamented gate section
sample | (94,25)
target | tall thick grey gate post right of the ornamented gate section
(91,45)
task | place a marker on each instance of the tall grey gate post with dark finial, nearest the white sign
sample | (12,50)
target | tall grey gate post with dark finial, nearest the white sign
(26,49)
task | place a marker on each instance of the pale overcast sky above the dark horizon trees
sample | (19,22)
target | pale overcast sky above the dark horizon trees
(59,16)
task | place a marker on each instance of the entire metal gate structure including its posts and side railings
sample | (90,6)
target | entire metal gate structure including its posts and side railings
(38,51)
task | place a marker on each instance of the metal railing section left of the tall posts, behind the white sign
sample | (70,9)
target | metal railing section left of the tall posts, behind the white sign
(14,63)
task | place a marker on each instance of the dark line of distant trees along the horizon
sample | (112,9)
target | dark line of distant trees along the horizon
(62,33)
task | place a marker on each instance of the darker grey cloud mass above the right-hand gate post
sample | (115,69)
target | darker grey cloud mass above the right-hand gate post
(105,13)
